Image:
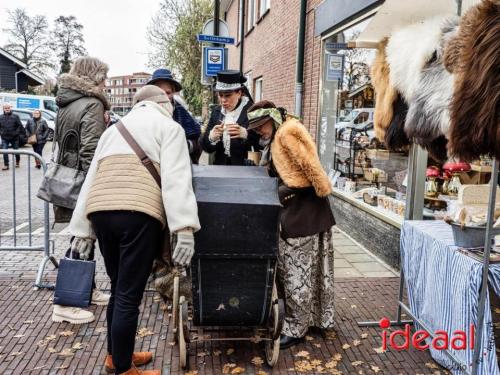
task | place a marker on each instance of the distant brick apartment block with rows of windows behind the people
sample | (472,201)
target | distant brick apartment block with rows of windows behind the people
(121,90)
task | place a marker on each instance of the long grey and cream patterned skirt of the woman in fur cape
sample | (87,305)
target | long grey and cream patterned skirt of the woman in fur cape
(305,269)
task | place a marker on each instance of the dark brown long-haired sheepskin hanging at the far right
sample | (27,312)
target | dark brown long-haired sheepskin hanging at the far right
(474,57)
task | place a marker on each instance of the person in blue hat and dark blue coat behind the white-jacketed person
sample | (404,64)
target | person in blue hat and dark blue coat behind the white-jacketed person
(164,79)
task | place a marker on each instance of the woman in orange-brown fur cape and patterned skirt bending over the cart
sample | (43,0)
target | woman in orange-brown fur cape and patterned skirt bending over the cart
(305,261)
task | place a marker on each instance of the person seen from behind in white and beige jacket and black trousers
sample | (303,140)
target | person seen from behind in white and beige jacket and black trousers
(123,206)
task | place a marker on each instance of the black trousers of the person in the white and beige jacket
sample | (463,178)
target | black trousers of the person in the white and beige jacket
(129,242)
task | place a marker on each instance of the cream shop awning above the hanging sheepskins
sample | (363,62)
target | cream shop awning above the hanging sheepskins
(394,14)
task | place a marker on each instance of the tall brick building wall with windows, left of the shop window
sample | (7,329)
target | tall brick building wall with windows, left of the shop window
(270,54)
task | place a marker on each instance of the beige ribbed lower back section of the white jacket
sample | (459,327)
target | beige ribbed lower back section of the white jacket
(123,183)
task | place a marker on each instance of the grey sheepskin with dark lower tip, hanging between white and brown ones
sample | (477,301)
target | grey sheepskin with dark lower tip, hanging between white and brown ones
(428,115)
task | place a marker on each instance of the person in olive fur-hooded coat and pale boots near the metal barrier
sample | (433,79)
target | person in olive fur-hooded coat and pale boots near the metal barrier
(79,125)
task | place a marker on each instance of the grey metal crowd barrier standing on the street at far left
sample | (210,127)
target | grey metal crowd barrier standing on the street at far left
(44,247)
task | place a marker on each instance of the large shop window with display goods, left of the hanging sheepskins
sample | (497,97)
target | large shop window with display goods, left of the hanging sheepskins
(360,167)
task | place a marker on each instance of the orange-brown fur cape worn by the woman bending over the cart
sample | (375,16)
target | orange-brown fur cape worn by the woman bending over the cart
(296,159)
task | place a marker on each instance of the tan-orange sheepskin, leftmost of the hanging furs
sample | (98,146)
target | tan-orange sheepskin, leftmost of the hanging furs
(385,93)
